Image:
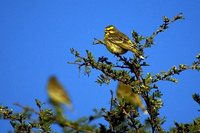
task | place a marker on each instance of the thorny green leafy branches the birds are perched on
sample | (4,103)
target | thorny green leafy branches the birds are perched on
(121,117)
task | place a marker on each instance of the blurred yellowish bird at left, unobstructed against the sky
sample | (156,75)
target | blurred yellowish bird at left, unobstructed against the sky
(56,92)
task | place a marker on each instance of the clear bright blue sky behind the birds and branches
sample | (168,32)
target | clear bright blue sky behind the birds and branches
(35,38)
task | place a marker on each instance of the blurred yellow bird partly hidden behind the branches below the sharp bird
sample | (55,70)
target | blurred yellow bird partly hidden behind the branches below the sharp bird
(124,91)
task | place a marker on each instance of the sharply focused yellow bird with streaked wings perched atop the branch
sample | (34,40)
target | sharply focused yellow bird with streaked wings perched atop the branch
(118,43)
